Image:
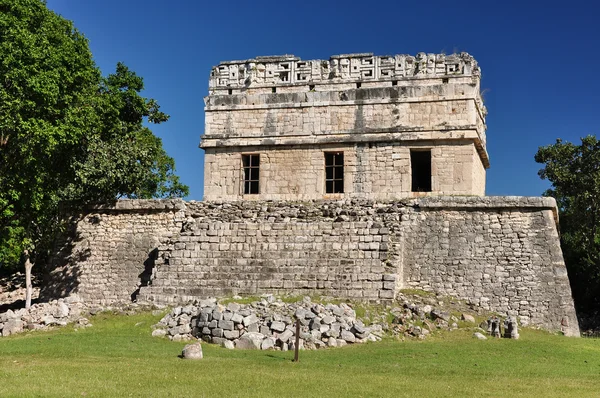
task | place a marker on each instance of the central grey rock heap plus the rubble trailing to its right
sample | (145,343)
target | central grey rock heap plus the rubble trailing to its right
(271,324)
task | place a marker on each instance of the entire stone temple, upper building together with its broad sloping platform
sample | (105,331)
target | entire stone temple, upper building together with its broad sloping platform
(353,177)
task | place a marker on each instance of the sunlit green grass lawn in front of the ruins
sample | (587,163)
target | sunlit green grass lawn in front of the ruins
(117,357)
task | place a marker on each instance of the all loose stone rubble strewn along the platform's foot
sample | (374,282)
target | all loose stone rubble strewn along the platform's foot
(269,323)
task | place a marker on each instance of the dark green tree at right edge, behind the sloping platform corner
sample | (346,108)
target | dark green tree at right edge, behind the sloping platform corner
(574,172)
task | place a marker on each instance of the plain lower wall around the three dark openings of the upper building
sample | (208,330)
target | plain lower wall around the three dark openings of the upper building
(379,171)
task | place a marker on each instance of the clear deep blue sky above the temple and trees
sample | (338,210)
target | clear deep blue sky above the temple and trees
(540,60)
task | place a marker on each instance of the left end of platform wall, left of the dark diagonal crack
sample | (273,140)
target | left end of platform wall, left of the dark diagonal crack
(110,250)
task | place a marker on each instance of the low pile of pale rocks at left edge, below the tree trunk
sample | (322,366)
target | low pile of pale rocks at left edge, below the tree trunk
(41,316)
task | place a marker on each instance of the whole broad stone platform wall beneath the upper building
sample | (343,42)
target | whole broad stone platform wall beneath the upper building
(499,252)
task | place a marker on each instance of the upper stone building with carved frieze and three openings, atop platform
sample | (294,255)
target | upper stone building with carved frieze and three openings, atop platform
(353,126)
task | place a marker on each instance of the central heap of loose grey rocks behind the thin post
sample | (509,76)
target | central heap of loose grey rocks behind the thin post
(267,324)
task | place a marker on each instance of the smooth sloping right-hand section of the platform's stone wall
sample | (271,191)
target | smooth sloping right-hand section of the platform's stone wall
(504,259)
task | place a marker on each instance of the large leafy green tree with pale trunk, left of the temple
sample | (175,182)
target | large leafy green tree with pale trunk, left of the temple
(66,133)
